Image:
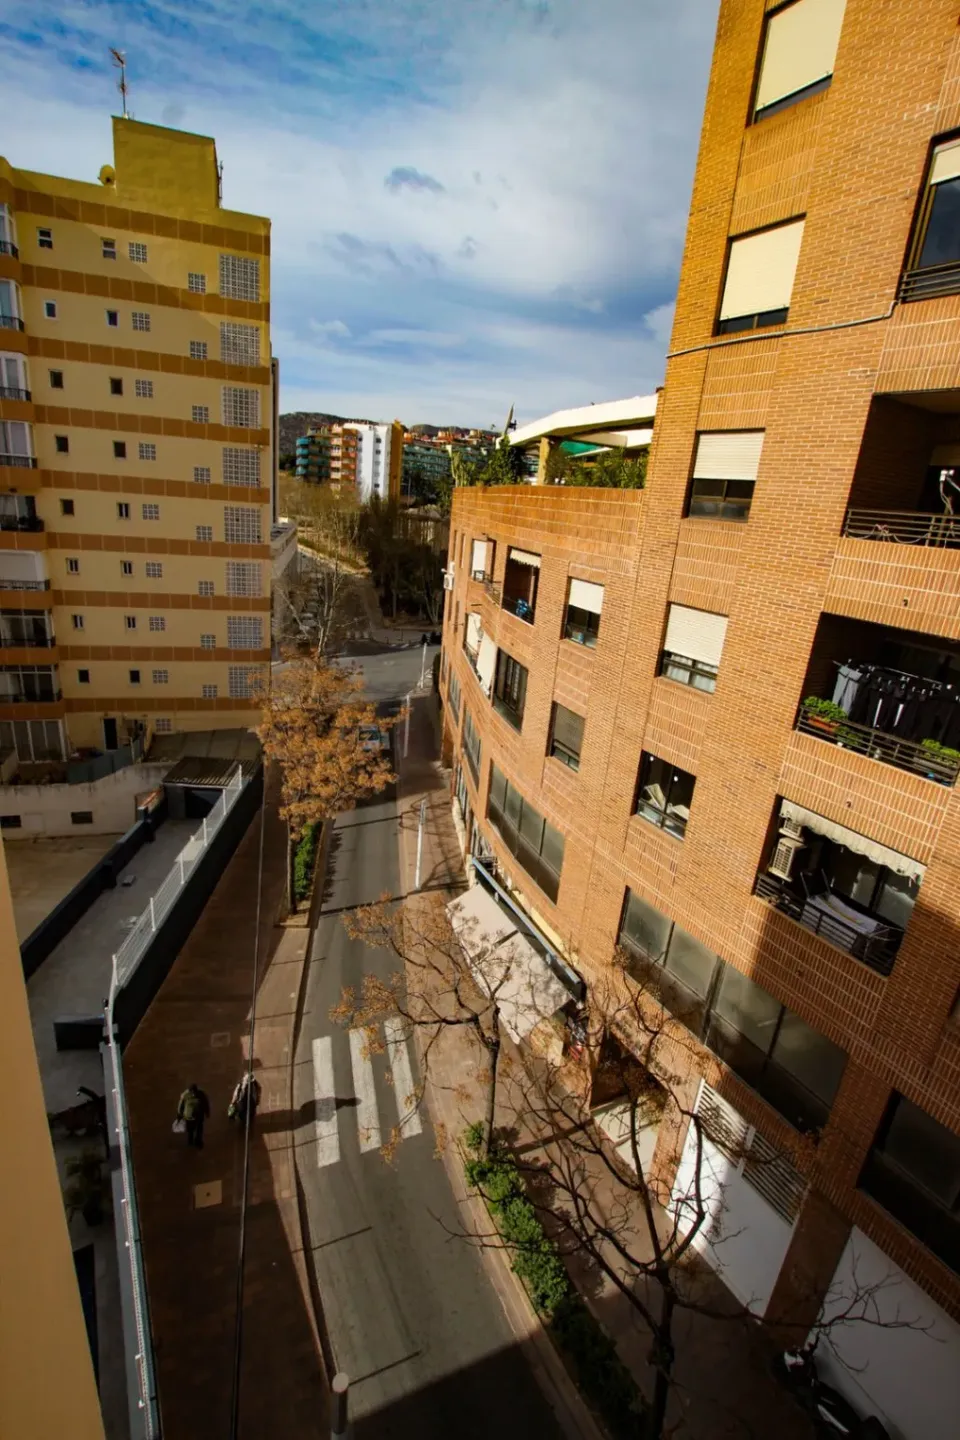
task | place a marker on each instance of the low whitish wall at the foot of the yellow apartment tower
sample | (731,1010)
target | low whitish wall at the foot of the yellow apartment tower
(45,810)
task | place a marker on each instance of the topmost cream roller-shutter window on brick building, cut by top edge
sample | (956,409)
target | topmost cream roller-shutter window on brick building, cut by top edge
(798,54)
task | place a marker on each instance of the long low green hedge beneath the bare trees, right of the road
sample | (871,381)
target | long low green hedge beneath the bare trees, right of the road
(588,1349)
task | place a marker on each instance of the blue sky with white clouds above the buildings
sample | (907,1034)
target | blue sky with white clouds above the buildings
(476,204)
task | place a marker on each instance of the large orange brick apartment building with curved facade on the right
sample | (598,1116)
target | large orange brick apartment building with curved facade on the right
(624,686)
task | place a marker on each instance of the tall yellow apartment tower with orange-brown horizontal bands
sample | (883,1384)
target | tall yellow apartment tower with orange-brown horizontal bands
(137,477)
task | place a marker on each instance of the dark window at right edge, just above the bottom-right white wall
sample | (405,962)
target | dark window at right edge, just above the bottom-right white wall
(913,1171)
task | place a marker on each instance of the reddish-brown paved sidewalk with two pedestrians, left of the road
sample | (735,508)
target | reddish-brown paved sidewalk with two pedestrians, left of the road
(191,1200)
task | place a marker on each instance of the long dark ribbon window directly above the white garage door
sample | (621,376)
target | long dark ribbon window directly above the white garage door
(792,1066)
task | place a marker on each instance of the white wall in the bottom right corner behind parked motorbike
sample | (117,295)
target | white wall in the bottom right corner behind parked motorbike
(909,1377)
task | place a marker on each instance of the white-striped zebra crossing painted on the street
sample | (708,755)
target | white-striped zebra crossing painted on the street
(363,1108)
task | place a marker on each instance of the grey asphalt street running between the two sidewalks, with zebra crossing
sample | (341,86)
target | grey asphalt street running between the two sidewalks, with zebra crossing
(411,1314)
